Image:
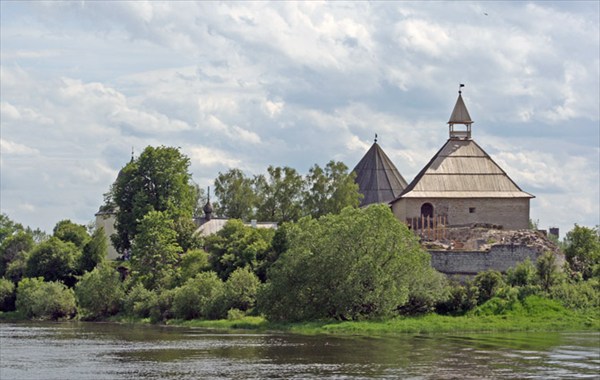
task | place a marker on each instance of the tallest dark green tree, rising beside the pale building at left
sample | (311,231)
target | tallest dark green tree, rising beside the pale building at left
(158,180)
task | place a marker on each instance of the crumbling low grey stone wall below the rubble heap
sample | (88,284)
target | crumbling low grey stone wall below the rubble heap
(500,257)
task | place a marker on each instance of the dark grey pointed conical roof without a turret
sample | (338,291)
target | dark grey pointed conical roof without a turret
(377,177)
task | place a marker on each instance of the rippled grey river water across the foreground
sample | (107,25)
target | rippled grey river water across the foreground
(97,351)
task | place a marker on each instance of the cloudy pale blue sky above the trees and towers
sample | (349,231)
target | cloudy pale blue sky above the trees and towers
(251,84)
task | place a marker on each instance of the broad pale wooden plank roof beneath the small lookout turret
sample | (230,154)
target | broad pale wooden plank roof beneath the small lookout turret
(461,169)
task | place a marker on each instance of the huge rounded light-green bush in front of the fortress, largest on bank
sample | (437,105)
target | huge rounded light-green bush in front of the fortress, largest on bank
(354,265)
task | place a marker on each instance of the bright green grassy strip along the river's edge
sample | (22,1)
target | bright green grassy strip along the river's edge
(539,315)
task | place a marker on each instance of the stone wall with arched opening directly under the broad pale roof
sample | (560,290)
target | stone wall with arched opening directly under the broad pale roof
(510,213)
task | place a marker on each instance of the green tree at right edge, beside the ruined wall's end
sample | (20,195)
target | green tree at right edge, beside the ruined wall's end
(582,250)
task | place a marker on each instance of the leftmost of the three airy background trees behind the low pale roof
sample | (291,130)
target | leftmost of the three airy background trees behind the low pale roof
(236,195)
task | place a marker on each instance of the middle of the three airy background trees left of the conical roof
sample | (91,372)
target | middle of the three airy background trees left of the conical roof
(279,197)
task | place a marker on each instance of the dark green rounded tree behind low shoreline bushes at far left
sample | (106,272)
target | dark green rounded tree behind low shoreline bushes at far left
(54,260)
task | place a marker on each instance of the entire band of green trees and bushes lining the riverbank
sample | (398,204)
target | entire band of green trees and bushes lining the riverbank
(343,264)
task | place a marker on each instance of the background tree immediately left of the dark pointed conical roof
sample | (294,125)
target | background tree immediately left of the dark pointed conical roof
(330,190)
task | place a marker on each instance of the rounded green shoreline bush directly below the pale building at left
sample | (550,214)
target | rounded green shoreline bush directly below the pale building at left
(99,293)
